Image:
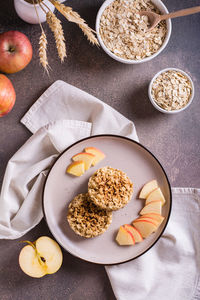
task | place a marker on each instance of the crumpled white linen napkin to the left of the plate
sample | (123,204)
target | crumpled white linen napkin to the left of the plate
(61,116)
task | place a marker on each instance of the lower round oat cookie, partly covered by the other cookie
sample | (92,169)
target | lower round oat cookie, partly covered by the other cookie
(86,219)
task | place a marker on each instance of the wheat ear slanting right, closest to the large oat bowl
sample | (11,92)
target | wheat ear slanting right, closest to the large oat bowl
(74,17)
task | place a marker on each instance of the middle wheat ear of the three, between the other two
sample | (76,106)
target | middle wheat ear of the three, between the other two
(56,27)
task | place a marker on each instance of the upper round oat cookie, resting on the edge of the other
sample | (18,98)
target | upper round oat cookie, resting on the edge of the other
(110,188)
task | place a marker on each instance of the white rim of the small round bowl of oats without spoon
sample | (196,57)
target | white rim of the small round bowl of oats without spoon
(153,101)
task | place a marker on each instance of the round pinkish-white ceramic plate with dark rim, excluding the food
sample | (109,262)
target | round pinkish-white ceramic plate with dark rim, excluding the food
(60,188)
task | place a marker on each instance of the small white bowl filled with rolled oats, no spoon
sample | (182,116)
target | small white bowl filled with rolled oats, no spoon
(171,90)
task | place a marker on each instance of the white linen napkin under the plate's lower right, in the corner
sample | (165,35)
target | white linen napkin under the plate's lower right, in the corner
(171,269)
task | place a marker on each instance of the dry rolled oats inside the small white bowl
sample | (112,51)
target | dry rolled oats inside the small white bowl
(171,90)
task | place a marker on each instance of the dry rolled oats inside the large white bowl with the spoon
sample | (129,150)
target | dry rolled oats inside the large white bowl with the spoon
(124,31)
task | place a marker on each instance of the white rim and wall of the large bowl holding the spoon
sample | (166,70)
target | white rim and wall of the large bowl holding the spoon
(163,9)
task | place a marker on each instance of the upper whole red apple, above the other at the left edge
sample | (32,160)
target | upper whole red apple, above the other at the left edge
(15,51)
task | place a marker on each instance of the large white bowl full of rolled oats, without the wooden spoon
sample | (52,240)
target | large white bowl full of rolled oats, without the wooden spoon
(123,33)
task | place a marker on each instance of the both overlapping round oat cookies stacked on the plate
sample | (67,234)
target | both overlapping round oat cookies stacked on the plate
(90,214)
